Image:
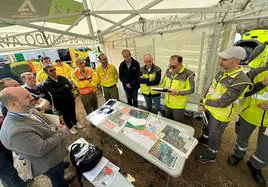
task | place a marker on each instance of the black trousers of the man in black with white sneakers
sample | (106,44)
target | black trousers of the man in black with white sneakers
(68,113)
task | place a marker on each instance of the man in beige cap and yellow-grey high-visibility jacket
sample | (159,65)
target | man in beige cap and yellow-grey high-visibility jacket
(219,102)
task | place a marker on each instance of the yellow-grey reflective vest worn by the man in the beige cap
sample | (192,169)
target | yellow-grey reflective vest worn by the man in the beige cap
(220,85)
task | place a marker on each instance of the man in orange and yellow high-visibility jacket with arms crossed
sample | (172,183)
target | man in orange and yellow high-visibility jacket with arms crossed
(86,81)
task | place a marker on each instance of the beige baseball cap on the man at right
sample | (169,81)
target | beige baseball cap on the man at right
(233,52)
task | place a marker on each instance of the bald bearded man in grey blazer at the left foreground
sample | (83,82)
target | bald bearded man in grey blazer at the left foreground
(32,136)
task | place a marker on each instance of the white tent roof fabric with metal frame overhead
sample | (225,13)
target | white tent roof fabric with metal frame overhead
(101,19)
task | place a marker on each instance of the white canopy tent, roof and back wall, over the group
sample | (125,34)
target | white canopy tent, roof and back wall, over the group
(194,29)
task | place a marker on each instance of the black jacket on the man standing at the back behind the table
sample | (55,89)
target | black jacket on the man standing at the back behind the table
(130,75)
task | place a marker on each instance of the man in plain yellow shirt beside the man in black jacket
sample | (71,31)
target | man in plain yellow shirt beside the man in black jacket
(108,78)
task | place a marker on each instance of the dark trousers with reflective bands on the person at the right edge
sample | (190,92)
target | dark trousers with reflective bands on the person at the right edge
(244,130)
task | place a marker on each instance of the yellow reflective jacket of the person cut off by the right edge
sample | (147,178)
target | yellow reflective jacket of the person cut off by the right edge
(250,111)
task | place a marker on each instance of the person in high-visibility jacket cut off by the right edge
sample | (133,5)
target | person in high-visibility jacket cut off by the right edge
(253,114)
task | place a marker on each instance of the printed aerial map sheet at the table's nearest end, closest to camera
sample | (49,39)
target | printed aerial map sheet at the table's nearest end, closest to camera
(165,153)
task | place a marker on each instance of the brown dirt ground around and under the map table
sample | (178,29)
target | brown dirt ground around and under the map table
(218,174)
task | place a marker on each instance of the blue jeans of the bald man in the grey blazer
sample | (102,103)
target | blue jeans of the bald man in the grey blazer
(56,175)
